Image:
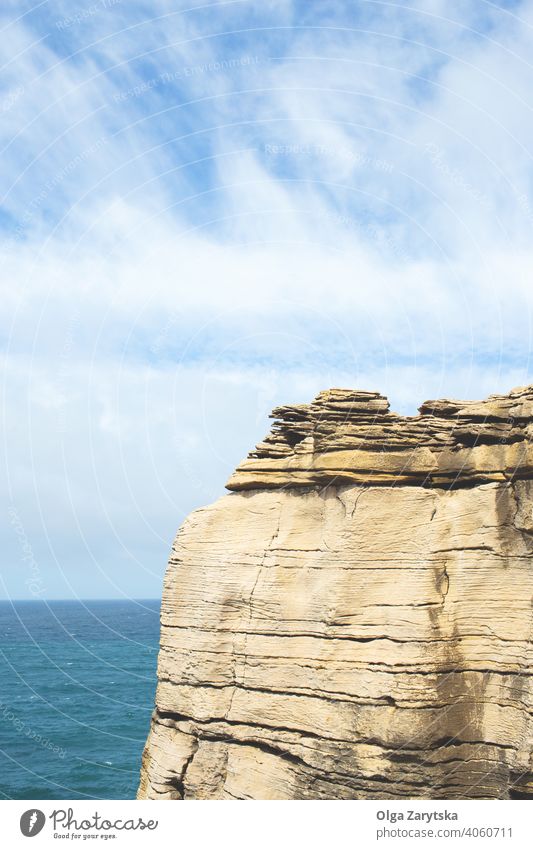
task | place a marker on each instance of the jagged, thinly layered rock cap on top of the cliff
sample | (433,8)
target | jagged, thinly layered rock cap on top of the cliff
(350,436)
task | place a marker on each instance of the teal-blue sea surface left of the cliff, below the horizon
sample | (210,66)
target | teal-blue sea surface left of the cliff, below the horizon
(77,687)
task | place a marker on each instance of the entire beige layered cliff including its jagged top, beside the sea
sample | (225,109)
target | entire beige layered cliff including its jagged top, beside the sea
(355,619)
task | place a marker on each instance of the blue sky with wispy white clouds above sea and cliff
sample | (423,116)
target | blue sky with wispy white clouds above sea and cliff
(212,209)
